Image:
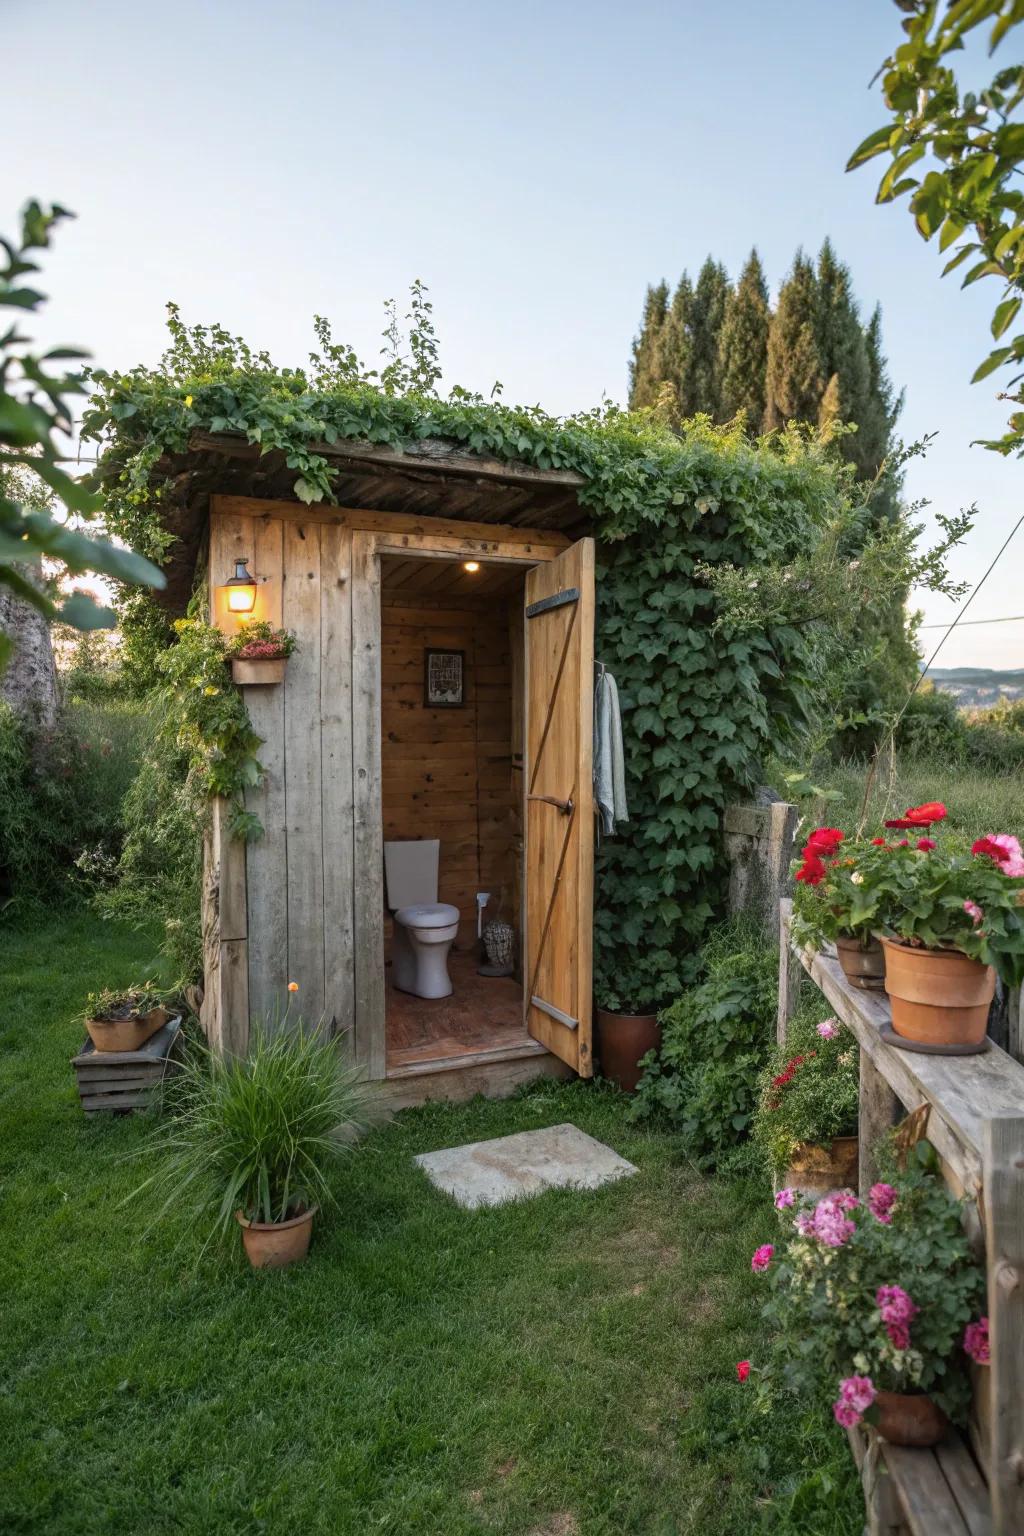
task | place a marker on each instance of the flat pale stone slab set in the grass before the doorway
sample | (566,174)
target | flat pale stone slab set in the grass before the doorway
(514,1168)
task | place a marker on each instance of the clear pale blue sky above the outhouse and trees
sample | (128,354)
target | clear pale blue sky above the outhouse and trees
(537,165)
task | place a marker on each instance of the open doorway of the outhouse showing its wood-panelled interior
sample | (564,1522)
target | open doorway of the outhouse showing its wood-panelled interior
(452,744)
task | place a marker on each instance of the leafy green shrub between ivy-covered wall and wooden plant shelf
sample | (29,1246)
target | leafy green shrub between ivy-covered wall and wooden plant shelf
(715,1044)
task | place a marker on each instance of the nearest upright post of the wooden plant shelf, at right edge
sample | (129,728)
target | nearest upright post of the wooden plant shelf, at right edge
(1005,1237)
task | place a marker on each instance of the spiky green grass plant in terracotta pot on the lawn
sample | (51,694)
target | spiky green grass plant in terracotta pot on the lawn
(257,1136)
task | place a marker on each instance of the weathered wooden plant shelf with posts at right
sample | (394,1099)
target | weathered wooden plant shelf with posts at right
(977,1127)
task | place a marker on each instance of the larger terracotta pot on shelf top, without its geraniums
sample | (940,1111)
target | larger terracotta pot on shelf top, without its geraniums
(939,996)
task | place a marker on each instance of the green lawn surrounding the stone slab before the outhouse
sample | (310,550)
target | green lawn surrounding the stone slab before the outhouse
(560,1368)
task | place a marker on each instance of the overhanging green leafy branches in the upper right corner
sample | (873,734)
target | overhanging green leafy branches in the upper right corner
(965,151)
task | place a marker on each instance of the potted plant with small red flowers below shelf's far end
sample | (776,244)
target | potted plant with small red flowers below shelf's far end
(805,1124)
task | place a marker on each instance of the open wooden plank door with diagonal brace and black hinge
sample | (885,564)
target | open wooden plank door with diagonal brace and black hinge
(560,804)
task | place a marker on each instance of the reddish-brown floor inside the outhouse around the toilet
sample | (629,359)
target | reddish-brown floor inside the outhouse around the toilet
(483,1016)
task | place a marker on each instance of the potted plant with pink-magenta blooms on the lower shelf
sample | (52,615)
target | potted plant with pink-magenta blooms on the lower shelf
(876,1305)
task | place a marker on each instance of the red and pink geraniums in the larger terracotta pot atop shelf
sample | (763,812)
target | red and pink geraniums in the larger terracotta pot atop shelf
(948,922)
